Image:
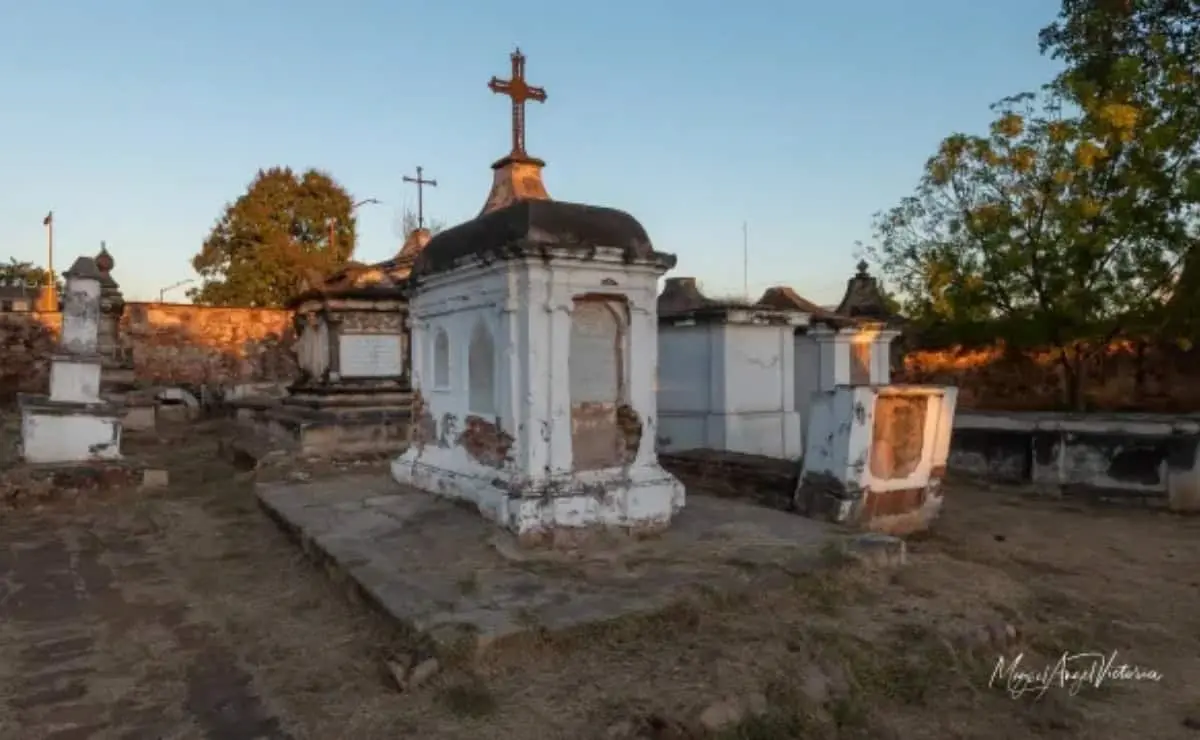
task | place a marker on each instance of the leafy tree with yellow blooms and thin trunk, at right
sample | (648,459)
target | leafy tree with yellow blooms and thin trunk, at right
(1054,227)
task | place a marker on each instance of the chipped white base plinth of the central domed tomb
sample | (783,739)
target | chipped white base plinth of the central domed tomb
(641,500)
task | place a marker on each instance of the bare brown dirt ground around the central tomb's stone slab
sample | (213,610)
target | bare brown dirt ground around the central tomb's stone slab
(185,613)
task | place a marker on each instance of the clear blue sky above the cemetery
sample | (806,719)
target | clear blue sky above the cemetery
(137,121)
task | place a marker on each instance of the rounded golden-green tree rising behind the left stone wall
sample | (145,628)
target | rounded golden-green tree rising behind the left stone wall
(287,230)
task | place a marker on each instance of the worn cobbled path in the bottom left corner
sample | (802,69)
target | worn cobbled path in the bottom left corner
(98,642)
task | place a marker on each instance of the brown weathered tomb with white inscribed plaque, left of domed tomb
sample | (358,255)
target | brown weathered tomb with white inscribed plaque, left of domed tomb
(353,395)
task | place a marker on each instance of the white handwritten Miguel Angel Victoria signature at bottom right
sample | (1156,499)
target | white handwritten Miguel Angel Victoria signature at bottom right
(1072,672)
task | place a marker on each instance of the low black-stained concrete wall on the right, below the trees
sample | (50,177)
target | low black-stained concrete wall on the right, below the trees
(1132,455)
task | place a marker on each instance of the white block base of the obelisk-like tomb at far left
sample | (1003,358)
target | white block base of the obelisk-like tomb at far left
(58,432)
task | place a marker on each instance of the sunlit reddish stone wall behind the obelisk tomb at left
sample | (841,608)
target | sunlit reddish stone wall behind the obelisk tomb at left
(170,345)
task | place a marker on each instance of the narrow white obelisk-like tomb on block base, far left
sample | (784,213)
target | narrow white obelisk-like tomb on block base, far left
(74,424)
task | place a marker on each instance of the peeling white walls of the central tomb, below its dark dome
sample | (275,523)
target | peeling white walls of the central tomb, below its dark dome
(543,342)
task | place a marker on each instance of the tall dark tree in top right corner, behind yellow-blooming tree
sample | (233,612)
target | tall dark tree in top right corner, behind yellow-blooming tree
(1143,58)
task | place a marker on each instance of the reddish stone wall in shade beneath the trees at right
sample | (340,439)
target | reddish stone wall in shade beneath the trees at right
(1126,377)
